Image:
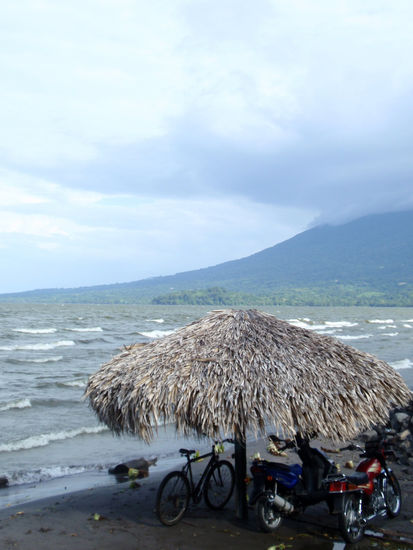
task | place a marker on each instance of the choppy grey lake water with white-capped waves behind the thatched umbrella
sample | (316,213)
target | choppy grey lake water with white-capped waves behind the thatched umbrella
(47,353)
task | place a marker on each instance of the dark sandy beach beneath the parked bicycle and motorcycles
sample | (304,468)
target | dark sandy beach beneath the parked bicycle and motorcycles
(117,516)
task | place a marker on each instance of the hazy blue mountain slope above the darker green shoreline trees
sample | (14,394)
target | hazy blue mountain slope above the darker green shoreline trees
(373,254)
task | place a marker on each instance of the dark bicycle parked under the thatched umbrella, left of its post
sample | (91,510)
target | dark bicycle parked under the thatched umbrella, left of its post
(216,485)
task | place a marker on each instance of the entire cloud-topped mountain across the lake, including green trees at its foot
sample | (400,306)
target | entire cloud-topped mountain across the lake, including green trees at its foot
(365,262)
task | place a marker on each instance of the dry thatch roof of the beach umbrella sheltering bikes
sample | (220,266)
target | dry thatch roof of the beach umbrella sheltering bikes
(234,371)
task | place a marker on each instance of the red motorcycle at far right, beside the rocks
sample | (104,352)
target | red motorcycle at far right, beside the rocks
(375,494)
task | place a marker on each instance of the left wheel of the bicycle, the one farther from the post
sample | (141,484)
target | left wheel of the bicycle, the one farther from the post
(172,498)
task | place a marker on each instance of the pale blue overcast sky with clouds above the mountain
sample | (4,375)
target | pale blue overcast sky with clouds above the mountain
(146,138)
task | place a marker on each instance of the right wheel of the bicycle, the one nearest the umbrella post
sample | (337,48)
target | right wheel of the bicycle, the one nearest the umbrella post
(219,484)
